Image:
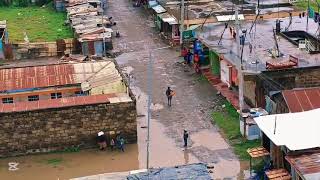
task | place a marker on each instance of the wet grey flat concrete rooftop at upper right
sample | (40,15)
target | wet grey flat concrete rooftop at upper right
(261,39)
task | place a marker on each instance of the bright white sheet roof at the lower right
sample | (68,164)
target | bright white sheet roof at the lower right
(296,131)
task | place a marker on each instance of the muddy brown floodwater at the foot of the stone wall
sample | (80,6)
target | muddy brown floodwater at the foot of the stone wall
(70,165)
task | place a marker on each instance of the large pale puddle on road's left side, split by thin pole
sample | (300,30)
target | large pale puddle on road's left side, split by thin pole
(163,150)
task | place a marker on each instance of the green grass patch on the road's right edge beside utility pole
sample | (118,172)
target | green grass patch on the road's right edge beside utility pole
(228,122)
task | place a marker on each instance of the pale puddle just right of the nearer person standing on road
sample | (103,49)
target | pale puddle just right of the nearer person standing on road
(210,139)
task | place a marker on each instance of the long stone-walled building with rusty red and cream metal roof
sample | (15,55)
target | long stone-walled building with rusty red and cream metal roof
(58,106)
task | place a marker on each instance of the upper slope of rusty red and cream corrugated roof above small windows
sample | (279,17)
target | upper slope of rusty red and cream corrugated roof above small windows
(50,75)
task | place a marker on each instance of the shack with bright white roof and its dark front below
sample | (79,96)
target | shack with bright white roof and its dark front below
(280,136)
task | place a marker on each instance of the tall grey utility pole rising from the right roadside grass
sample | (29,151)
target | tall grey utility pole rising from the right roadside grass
(240,74)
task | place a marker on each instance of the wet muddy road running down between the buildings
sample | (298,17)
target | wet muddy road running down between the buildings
(191,106)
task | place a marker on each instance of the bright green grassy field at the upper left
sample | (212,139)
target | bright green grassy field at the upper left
(40,24)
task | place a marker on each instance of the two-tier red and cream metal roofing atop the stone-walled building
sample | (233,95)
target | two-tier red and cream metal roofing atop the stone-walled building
(101,80)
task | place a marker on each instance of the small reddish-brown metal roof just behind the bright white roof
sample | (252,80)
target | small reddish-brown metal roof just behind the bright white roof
(302,99)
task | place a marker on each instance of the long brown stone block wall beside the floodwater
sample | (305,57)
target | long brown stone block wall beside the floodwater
(61,128)
